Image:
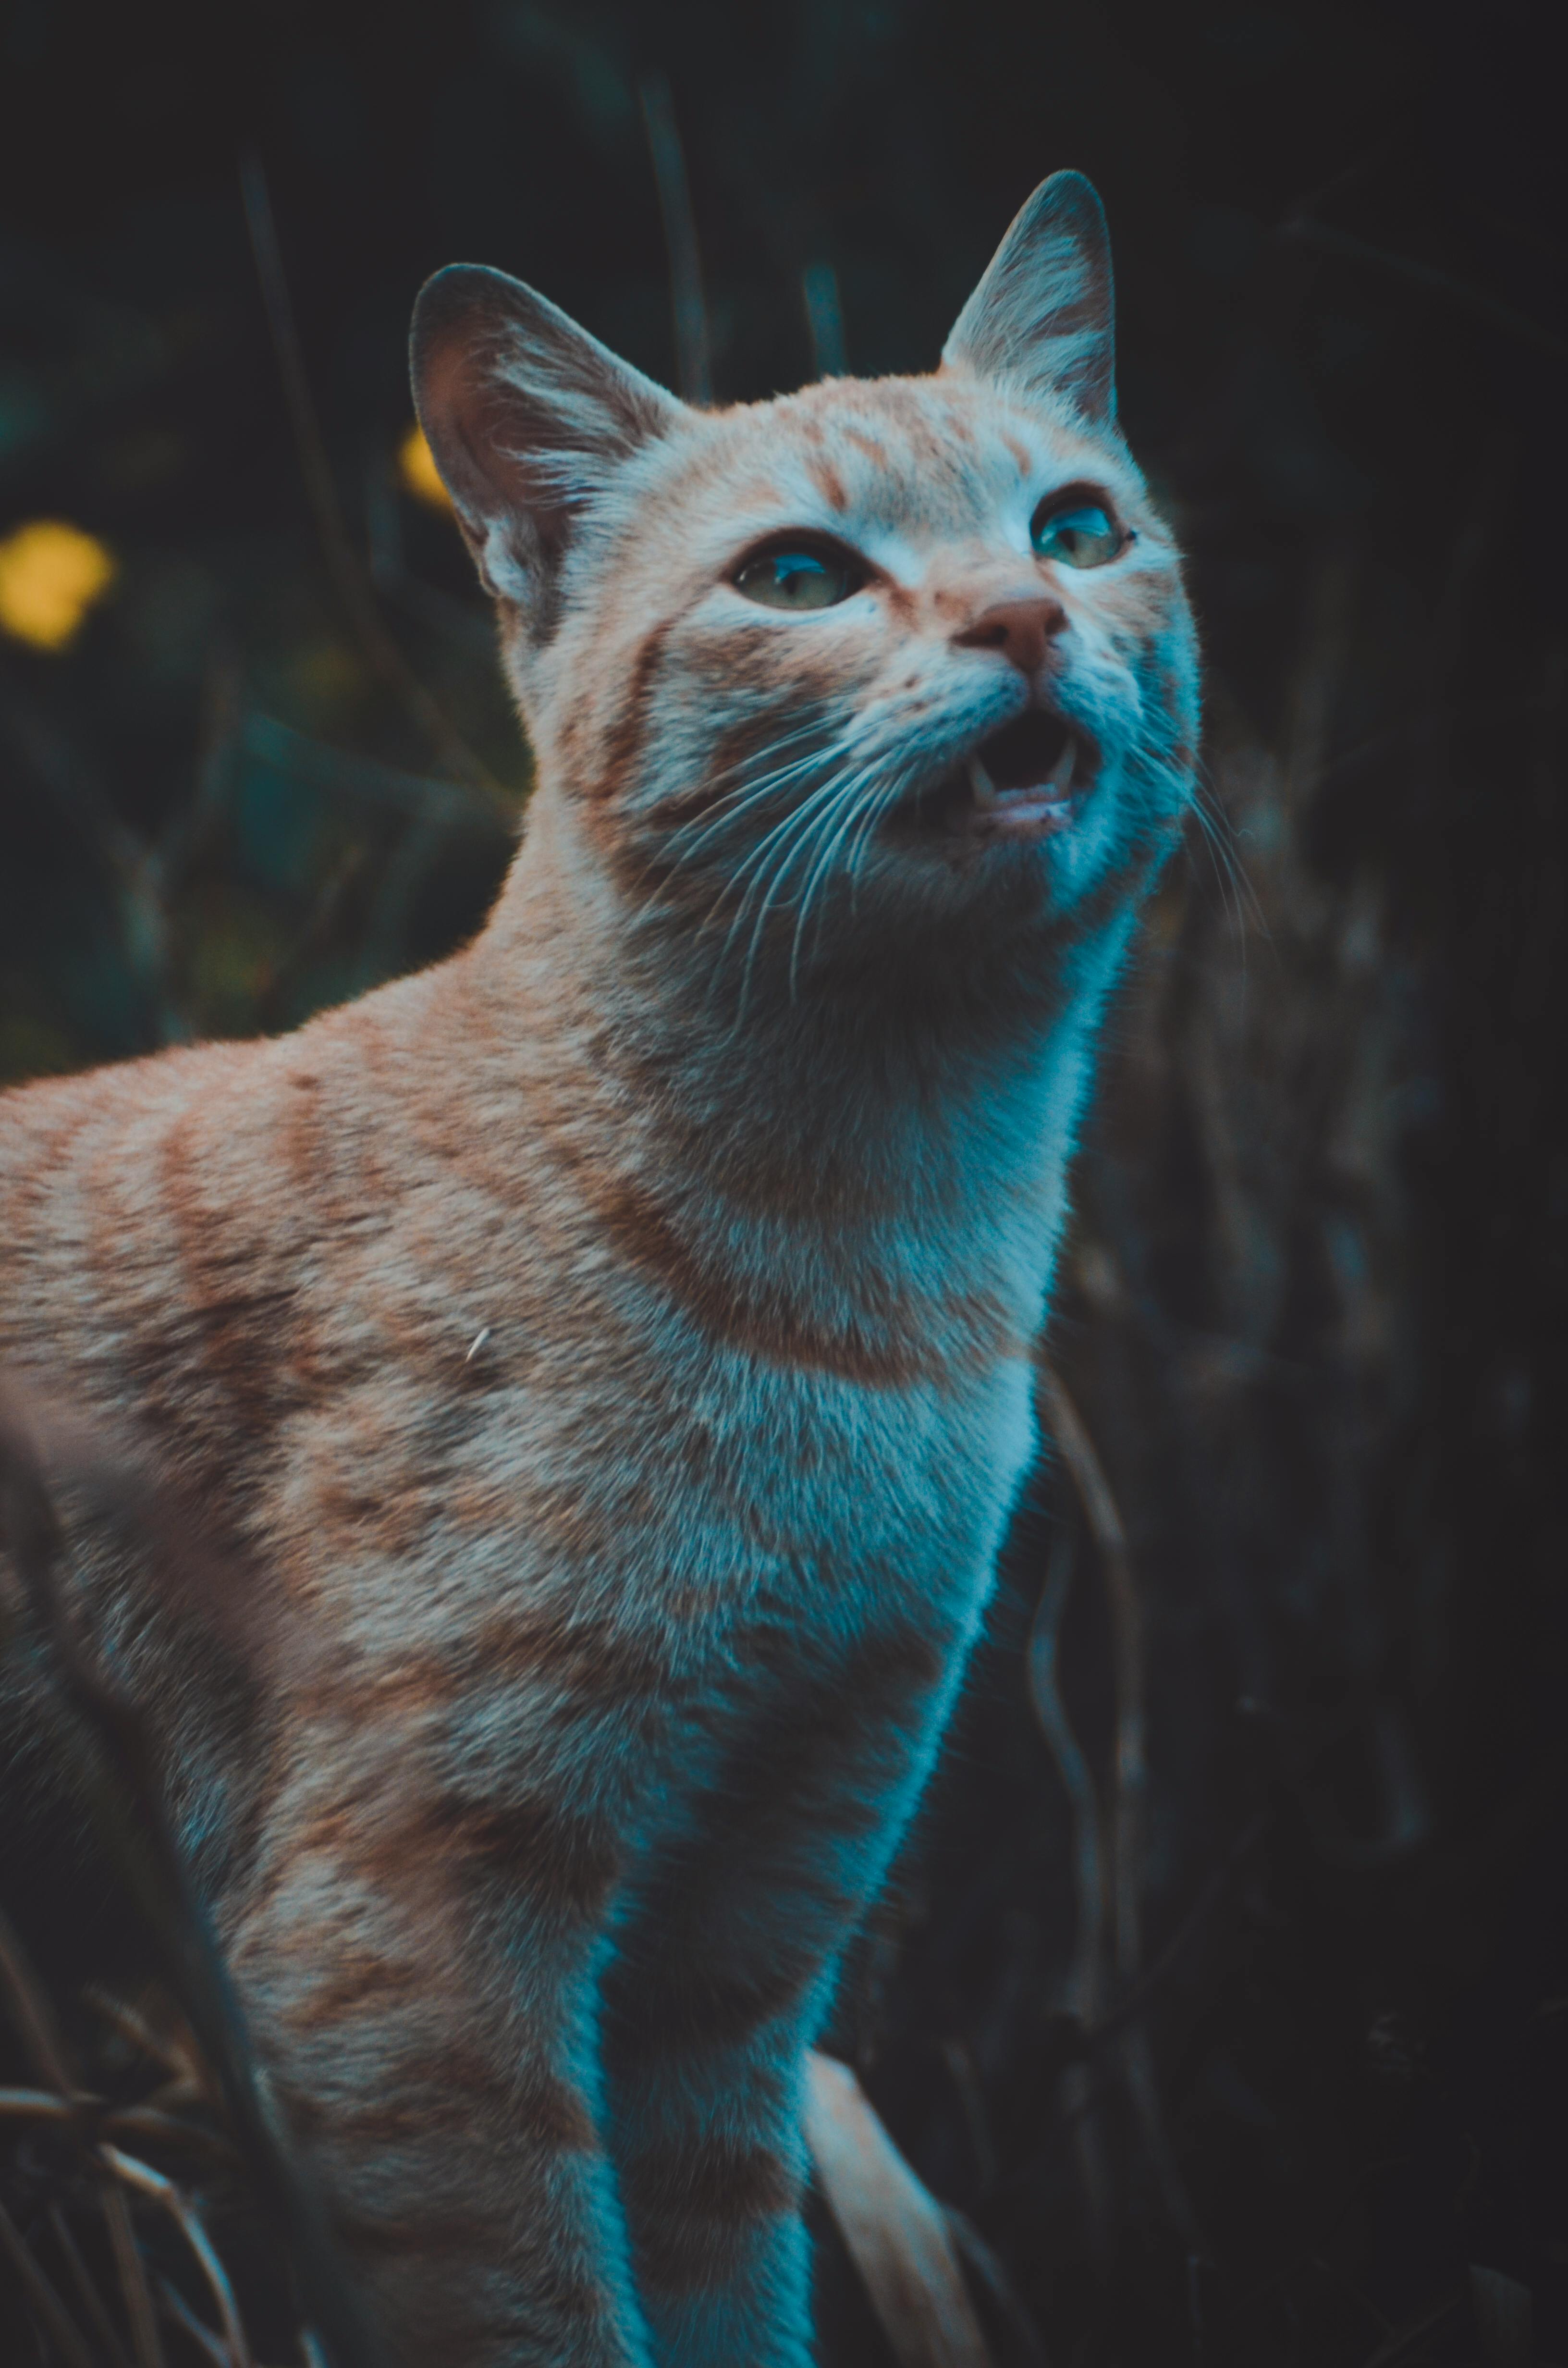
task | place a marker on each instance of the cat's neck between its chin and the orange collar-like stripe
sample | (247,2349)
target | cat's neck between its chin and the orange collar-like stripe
(868,1119)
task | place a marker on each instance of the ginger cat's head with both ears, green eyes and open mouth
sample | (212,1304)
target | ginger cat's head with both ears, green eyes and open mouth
(828,678)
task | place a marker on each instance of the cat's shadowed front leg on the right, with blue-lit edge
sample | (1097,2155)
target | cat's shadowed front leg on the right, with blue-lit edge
(724,1976)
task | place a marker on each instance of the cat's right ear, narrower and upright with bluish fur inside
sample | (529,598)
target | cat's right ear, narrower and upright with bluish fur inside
(1043,314)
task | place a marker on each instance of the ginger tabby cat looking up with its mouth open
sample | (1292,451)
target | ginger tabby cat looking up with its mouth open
(615,1341)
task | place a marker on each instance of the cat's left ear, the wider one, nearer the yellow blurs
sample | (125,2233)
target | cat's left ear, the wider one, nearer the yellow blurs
(527,418)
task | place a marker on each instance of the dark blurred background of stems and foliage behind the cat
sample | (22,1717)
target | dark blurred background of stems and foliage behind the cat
(1226,1983)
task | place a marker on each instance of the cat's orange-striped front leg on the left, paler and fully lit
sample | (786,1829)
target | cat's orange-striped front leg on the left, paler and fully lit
(420,1983)
